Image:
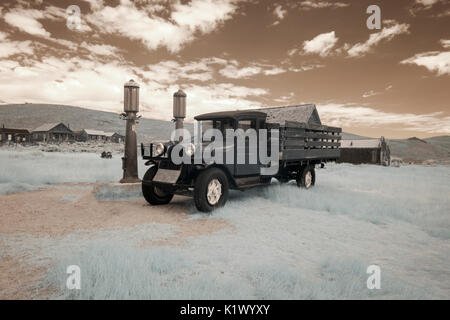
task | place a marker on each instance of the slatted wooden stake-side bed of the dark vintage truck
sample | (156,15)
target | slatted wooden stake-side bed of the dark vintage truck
(301,141)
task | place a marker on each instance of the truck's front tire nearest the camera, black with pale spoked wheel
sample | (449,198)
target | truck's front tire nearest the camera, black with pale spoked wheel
(201,189)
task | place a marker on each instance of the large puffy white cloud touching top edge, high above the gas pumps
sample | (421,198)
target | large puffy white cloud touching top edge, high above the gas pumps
(186,21)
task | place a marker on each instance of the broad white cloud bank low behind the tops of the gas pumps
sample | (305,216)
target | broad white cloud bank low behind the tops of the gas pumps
(99,86)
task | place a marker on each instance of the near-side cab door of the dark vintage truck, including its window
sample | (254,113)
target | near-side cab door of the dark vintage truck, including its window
(246,146)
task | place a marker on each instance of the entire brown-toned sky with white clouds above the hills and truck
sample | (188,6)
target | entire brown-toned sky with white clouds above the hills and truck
(233,54)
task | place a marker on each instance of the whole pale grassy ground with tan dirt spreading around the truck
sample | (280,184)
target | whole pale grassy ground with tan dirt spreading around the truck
(278,242)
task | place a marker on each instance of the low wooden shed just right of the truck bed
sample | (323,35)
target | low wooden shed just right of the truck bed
(372,151)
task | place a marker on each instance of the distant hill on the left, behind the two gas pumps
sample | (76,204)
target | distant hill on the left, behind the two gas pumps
(31,116)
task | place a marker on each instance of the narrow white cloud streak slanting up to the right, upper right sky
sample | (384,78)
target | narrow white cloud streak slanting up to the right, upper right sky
(387,33)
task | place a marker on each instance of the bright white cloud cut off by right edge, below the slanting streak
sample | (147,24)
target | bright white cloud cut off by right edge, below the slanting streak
(434,61)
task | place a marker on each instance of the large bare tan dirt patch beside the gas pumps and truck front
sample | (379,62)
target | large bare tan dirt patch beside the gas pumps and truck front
(54,212)
